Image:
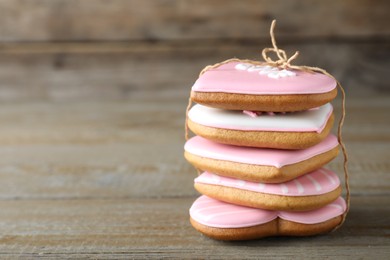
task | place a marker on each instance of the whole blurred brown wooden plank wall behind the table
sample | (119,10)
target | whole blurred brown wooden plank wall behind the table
(70,49)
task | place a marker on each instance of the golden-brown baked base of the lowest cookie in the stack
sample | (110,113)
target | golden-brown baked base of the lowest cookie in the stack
(276,227)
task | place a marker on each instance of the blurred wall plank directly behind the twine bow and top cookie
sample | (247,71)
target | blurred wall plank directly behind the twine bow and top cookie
(125,71)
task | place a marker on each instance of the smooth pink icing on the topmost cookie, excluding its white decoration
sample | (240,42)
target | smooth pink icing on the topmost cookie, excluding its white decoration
(227,79)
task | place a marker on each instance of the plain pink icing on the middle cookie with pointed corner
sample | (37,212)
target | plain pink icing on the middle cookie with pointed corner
(258,156)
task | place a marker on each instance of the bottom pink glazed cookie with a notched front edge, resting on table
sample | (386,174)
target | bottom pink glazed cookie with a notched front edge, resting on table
(223,221)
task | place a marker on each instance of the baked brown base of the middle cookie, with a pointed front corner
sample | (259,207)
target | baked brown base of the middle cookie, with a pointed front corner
(261,173)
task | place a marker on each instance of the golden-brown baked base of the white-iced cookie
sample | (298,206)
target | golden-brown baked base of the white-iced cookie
(263,139)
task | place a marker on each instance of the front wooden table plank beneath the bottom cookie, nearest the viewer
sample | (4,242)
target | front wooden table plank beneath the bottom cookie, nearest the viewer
(158,228)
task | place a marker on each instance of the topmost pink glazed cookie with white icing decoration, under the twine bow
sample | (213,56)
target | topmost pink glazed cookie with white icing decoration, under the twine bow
(243,86)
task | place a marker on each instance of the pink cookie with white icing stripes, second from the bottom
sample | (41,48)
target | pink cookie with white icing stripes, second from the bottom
(311,191)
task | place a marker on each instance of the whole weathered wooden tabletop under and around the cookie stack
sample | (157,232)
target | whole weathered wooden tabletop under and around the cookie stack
(107,179)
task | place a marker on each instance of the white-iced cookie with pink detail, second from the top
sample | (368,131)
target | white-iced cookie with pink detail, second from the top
(295,130)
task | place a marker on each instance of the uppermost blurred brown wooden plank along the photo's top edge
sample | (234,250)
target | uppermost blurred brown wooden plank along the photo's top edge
(72,20)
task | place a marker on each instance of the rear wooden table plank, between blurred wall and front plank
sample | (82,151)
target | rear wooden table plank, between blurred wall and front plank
(134,149)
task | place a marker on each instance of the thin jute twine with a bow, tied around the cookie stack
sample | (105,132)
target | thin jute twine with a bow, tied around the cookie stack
(284,62)
